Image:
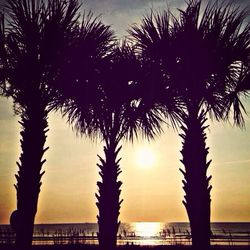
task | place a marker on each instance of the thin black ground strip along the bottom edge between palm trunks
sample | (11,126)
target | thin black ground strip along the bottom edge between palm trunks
(131,247)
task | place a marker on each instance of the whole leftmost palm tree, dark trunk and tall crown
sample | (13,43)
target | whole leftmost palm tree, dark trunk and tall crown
(36,34)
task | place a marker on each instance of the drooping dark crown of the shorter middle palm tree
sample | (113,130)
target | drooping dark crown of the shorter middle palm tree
(112,102)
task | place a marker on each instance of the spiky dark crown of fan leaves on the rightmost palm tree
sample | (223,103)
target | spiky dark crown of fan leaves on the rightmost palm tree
(180,47)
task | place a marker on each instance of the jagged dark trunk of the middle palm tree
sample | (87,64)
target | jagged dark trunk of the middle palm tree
(108,200)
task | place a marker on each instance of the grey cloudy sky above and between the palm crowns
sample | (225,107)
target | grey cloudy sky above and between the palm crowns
(120,14)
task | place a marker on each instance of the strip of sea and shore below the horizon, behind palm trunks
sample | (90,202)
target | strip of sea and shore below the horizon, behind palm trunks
(136,235)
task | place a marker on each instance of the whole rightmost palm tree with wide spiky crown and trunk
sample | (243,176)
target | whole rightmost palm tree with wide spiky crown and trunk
(205,60)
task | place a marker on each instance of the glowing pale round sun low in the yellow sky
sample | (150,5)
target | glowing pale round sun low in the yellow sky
(145,157)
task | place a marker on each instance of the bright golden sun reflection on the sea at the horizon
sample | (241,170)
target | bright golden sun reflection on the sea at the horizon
(147,229)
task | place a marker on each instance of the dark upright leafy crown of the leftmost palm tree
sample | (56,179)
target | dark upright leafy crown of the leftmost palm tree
(37,33)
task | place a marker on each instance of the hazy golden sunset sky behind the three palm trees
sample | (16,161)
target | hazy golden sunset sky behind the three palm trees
(152,188)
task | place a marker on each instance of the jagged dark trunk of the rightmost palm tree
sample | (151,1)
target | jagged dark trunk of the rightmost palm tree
(196,184)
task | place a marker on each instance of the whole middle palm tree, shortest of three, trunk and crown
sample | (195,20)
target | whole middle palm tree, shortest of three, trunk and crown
(124,113)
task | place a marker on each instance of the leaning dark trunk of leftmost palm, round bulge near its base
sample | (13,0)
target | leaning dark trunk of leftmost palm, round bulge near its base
(33,137)
